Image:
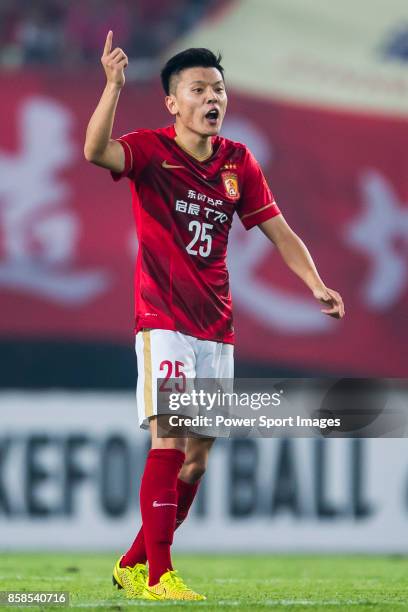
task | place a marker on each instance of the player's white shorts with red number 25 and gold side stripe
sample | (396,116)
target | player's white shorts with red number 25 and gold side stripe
(163,353)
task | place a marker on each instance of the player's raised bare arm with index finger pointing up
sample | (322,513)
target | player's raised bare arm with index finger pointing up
(99,147)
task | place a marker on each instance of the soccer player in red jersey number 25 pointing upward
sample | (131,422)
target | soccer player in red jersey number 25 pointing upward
(186,182)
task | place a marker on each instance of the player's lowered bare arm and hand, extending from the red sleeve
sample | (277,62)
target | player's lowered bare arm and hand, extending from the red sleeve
(298,258)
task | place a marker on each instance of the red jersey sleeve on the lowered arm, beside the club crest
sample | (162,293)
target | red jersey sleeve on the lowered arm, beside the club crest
(256,203)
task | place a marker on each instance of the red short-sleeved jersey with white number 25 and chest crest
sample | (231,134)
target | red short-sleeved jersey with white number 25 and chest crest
(183,210)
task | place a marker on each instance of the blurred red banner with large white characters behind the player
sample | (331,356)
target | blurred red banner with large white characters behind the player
(341,179)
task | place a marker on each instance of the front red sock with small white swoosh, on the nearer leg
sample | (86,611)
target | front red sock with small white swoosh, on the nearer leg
(158,504)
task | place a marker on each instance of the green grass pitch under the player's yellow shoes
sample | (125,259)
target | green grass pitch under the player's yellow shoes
(244,582)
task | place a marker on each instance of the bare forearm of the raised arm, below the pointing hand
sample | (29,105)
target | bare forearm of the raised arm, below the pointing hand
(99,130)
